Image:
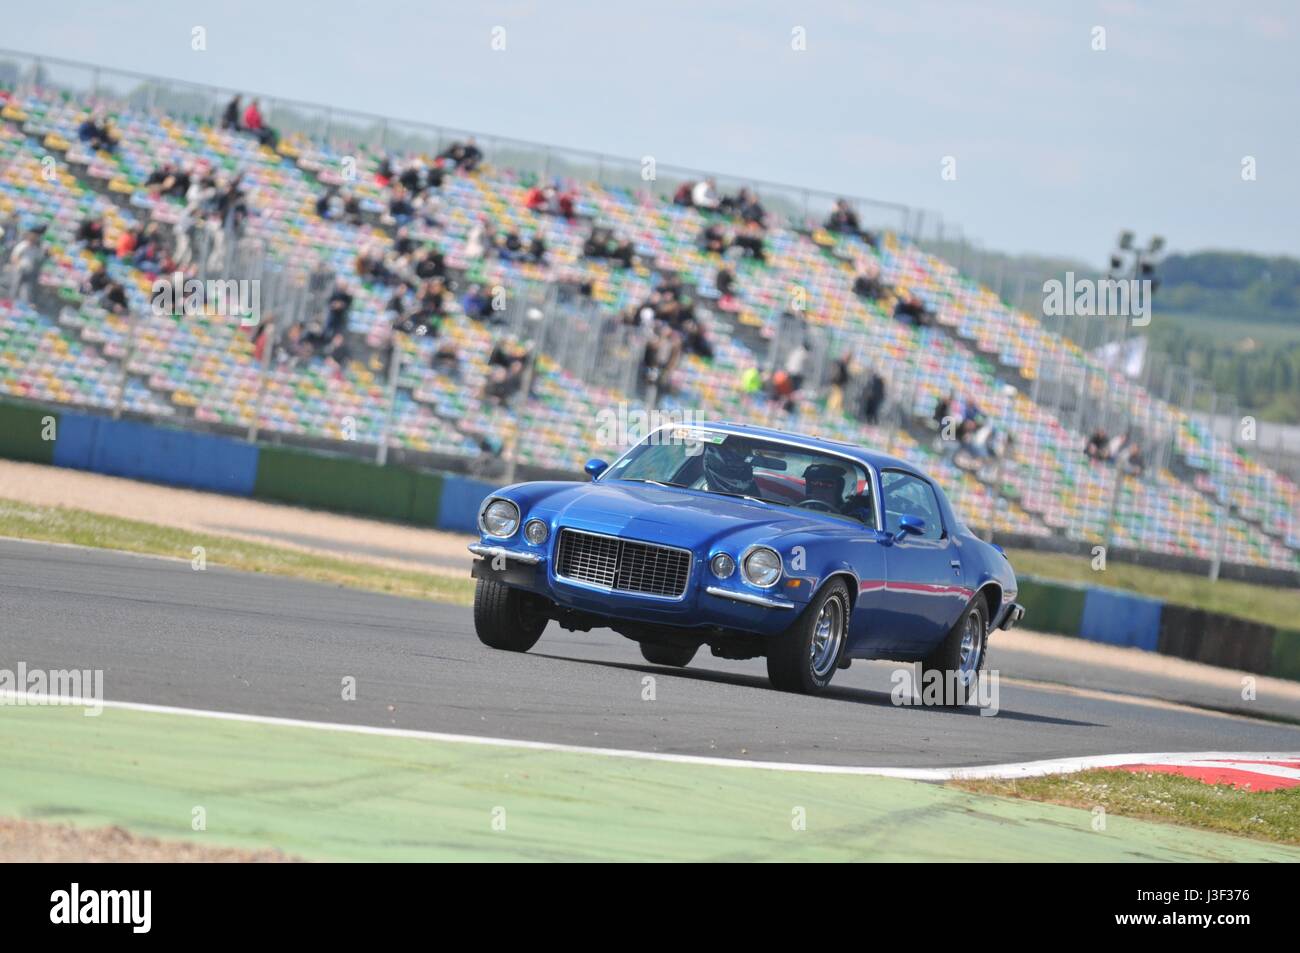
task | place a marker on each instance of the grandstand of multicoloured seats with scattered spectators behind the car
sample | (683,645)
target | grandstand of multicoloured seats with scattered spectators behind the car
(1211,503)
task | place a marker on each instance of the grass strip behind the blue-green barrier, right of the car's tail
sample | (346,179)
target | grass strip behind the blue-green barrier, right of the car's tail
(1269,605)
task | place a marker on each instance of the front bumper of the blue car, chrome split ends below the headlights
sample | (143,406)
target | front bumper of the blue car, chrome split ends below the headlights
(713,604)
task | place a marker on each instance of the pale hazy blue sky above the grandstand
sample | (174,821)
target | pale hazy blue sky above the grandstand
(1037,127)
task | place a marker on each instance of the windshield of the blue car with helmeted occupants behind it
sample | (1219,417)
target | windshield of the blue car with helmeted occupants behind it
(740,466)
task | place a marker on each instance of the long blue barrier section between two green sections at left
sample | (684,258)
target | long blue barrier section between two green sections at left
(142,452)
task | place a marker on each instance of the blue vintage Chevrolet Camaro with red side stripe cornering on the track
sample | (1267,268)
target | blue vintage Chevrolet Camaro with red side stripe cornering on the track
(755,543)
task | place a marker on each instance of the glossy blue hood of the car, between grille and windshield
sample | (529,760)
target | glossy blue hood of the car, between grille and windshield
(671,516)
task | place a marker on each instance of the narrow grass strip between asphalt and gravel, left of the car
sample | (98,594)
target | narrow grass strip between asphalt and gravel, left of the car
(83,529)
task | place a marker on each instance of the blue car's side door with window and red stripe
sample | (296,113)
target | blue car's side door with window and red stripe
(924,573)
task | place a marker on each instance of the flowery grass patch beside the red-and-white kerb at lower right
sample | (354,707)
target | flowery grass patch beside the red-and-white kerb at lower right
(1272,816)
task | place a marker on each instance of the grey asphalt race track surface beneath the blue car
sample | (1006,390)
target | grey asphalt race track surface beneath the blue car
(220,640)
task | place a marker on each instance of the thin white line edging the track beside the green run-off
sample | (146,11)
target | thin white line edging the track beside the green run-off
(1030,769)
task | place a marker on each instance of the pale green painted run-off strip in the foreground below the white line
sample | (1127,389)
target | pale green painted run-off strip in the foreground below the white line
(344,796)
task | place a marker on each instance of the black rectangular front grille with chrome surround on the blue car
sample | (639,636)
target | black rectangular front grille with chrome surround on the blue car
(622,565)
